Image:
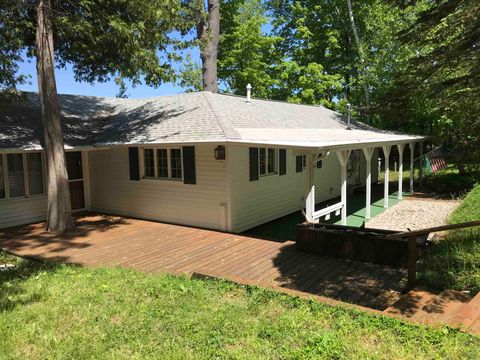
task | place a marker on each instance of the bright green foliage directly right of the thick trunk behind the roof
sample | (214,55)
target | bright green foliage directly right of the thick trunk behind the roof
(250,55)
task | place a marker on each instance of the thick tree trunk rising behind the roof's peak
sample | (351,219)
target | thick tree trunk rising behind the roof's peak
(208,32)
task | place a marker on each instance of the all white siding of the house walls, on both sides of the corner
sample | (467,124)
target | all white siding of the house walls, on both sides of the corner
(206,204)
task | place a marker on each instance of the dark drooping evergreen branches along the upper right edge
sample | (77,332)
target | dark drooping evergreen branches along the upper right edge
(445,73)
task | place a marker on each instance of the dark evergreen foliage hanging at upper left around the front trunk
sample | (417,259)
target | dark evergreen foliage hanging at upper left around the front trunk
(100,39)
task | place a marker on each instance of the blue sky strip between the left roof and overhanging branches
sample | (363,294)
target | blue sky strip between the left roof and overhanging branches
(66,84)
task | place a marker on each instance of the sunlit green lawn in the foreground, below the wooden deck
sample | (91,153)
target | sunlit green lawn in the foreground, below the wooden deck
(57,311)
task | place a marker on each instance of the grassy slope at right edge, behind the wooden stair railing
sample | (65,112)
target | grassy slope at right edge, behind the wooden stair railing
(454,261)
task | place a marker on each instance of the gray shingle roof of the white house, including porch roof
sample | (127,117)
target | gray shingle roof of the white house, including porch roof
(193,117)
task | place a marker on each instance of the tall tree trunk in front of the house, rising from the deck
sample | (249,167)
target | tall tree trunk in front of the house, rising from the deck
(59,212)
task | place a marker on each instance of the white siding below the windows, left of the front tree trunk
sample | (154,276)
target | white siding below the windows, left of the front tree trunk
(20,211)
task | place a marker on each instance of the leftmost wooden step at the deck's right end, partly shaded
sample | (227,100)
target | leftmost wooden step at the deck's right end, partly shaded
(412,302)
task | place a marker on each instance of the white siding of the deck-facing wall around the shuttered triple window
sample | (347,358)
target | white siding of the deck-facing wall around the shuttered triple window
(202,204)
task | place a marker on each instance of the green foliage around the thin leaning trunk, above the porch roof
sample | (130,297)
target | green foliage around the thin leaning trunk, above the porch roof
(322,32)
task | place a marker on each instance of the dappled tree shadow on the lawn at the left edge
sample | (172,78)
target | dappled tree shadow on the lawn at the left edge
(13,291)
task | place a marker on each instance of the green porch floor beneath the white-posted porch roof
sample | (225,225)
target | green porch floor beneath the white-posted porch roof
(283,229)
